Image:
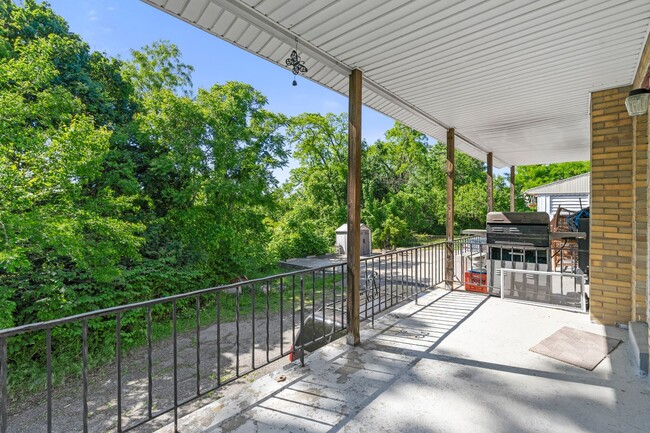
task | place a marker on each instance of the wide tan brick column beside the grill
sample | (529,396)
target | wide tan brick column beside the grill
(612,195)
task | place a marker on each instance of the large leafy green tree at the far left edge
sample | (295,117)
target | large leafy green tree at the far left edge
(67,234)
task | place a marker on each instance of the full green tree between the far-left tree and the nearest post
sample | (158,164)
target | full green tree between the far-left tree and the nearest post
(207,170)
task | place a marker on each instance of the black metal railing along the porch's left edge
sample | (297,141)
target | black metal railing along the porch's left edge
(168,352)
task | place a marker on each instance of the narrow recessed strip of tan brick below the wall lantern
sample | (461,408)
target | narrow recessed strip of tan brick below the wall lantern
(640,218)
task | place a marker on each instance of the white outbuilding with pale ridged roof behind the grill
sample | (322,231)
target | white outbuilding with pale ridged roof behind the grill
(571,193)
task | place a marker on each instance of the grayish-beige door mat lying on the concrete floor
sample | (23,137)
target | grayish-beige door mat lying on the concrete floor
(575,347)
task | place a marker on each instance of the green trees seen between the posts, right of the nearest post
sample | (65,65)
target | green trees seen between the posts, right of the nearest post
(404,186)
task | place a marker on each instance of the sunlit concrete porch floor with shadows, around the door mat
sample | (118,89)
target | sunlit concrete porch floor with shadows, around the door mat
(457,362)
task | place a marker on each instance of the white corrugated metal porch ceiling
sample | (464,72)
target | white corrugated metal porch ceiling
(513,77)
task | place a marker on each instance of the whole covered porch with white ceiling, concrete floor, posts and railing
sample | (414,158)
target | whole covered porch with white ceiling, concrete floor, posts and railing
(509,83)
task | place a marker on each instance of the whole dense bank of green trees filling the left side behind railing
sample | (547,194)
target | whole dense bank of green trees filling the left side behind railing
(115,184)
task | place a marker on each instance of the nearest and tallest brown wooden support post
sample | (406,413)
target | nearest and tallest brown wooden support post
(354,207)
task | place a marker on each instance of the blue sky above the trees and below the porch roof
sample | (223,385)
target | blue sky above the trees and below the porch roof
(117,26)
